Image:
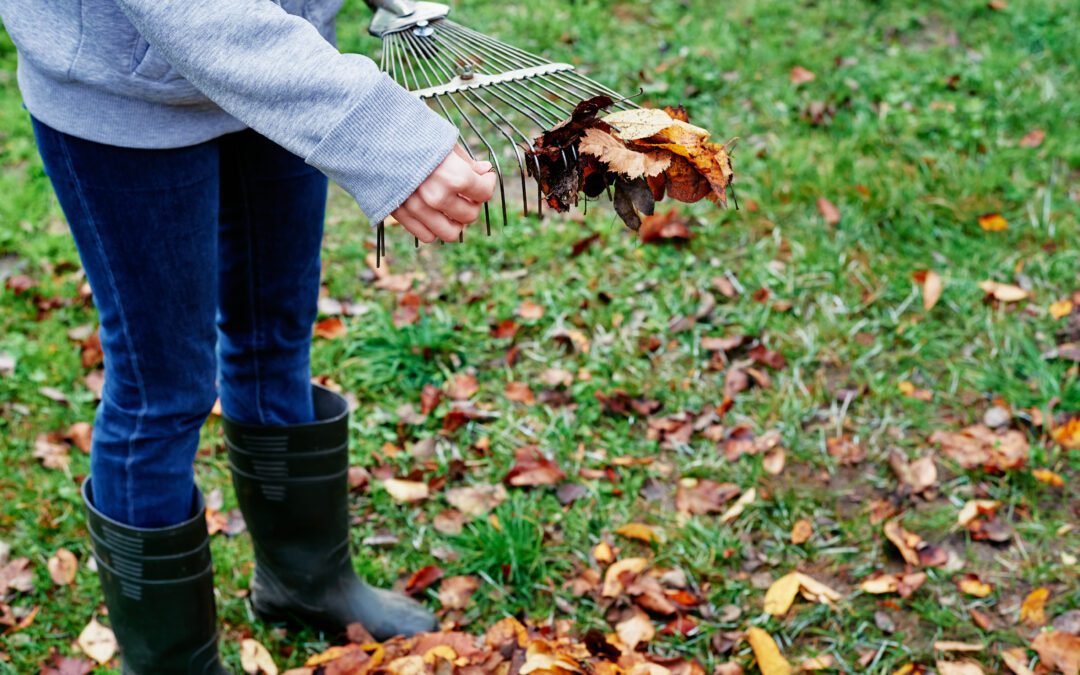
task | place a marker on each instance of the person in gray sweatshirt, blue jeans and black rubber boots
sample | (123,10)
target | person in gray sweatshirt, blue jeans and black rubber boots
(190,145)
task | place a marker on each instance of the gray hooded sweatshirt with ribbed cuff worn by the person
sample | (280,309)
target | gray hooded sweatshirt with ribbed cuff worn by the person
(167,74)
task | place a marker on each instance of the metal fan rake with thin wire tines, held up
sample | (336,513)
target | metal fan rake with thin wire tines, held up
(499,98)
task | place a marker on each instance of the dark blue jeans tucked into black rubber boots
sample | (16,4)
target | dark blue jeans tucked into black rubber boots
(205,266)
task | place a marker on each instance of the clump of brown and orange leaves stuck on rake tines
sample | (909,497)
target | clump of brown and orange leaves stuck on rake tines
(644,154)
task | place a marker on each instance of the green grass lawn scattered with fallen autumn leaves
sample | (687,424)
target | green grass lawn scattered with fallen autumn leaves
(922,118)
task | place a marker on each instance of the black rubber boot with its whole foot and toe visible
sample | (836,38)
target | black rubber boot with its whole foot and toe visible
(293,489)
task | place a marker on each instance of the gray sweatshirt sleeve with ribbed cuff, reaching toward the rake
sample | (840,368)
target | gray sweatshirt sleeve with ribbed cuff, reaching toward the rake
(275,73)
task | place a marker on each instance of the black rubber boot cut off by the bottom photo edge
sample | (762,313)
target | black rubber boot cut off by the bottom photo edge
(159,589)
